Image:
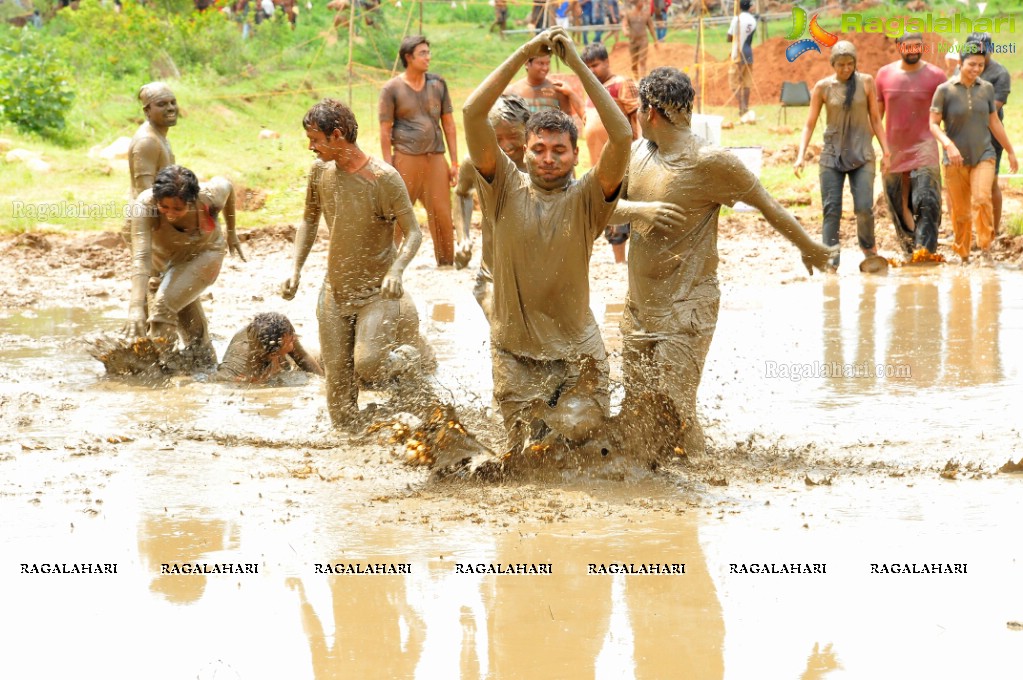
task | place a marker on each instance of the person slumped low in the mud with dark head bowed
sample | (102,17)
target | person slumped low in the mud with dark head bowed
(263,350)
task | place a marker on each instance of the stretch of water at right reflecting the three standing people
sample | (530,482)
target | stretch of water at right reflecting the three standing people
(919,364)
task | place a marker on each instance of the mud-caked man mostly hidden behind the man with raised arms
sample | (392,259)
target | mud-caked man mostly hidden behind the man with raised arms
(509,118)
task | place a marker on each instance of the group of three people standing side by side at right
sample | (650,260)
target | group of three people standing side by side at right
(920,105)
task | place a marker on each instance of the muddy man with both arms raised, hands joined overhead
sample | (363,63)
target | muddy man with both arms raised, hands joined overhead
(545,224)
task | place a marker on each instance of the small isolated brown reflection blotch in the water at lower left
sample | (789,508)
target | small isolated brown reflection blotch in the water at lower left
(163,540)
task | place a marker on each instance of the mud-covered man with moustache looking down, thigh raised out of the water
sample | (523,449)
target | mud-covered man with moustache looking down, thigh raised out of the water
(369,326)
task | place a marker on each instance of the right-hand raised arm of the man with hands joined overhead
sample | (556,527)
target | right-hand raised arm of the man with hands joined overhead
(615,158)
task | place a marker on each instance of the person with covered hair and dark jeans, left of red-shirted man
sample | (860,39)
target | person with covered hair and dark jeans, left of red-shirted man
(853,120)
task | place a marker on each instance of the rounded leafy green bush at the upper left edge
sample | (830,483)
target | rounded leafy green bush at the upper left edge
(35,94)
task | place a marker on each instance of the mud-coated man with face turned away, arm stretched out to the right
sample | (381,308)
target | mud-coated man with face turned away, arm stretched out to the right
(673,302)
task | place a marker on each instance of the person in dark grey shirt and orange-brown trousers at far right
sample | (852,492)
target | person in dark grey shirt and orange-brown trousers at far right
(966,106)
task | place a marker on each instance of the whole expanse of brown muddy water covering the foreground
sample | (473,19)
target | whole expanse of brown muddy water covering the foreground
(96,471)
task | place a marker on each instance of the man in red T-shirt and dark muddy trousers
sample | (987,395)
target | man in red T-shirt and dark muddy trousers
(913,185)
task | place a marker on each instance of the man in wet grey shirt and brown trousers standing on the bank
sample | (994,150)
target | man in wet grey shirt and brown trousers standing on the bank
(416,117)
